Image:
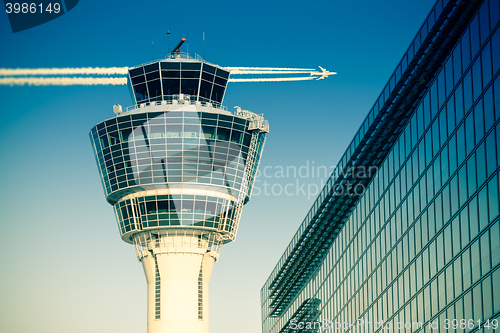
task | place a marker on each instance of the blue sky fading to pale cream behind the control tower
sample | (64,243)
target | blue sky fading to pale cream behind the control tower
(64,267)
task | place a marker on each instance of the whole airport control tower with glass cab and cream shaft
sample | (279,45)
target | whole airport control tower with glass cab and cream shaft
(177,167)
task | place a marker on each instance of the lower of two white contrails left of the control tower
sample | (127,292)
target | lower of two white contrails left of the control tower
(62,81)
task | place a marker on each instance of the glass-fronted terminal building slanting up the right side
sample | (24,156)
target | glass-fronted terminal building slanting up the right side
(406,233)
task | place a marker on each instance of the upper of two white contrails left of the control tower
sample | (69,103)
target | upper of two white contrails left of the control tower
(62,71)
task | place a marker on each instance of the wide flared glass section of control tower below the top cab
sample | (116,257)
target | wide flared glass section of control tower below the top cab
(175,168)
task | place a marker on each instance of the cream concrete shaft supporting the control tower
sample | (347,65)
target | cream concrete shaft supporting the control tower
(178,269)
